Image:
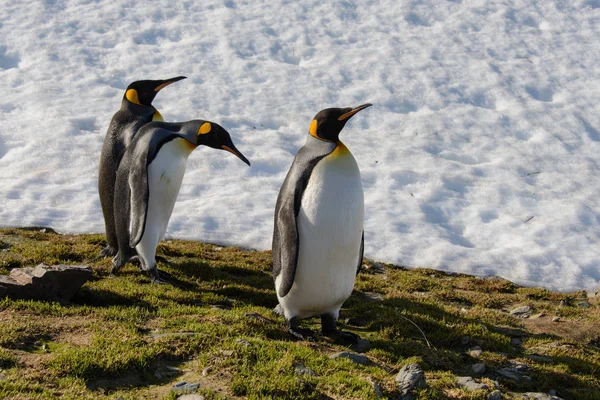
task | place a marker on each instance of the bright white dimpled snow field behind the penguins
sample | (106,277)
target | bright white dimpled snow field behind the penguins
(480,155)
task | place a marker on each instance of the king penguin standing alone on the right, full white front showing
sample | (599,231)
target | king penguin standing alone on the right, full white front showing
(318,237)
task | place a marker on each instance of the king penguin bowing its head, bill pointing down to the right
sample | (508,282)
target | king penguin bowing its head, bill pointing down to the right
(148,182)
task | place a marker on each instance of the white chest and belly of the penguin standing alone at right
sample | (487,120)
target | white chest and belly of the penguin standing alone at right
(330,226)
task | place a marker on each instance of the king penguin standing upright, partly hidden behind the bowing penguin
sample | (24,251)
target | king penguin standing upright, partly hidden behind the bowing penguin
(136,110)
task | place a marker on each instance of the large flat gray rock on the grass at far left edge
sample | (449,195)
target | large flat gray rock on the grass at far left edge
(55,283)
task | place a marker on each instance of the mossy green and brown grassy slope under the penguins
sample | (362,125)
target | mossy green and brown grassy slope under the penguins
(119,331)
